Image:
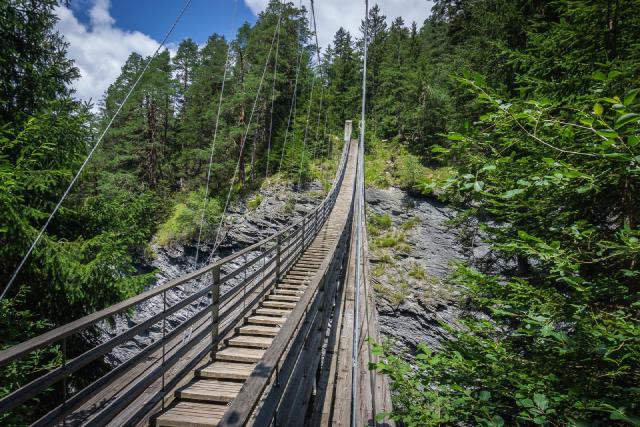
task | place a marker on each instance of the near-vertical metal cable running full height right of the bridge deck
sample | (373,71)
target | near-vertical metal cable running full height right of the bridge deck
(359,221)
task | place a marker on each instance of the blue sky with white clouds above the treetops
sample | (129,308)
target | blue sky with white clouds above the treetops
(103,33)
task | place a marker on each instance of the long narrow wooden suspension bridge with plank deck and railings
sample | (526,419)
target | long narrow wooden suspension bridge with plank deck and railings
(279,337)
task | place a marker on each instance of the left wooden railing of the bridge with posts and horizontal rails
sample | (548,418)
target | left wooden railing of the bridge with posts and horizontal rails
(245,276)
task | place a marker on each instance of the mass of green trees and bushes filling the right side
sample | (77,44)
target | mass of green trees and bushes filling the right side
(542,135)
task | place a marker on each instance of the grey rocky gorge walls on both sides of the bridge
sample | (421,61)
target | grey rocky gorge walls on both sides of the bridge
(409,258)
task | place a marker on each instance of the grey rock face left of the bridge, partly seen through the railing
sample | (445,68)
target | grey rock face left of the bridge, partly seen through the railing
(280,206)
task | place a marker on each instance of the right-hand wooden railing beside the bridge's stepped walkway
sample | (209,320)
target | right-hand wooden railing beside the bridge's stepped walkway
(274,392)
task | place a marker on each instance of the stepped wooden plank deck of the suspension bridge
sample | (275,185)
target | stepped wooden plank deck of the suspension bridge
(205,399)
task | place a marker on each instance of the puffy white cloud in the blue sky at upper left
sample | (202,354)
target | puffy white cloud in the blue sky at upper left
(99,49)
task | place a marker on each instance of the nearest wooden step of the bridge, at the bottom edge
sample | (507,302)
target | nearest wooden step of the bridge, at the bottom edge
(192,414)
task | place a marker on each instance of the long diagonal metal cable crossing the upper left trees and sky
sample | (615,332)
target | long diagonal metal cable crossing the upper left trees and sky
(93,149)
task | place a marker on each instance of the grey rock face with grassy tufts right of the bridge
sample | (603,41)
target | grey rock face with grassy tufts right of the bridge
(411,296)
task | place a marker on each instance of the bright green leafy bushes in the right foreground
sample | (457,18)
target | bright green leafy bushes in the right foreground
(559,339)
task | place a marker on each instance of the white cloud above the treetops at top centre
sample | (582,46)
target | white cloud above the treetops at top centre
(333,14)
